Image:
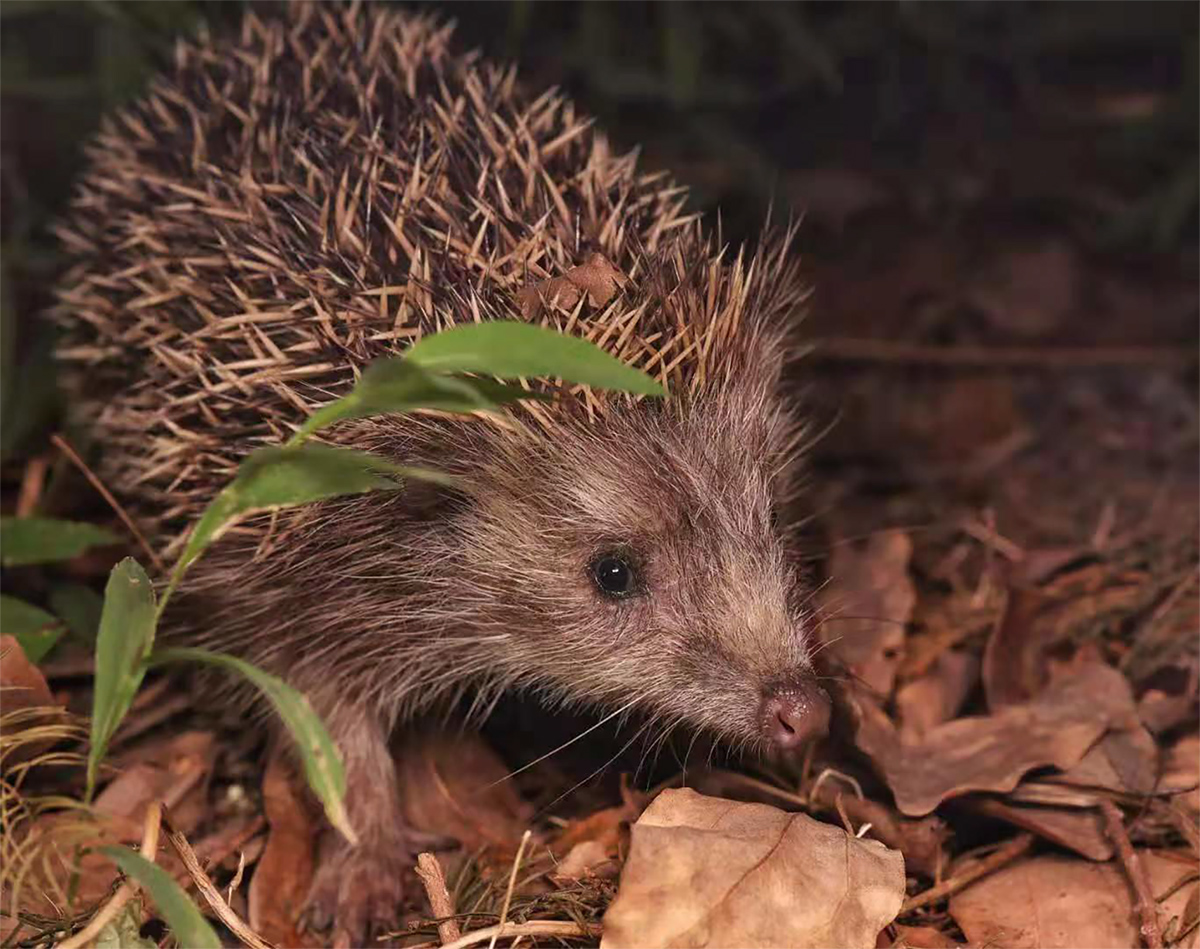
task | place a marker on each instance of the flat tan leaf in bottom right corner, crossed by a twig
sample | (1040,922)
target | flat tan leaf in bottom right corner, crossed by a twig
(1047,903)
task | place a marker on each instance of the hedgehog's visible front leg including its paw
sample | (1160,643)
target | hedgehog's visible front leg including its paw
(358,891)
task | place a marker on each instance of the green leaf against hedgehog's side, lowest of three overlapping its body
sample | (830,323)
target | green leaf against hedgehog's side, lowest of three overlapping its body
(289,477)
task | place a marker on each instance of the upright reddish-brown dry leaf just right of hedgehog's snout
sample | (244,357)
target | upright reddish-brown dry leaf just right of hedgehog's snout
(867,605)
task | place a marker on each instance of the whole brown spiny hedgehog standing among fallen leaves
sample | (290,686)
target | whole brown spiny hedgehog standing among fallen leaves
(326,188)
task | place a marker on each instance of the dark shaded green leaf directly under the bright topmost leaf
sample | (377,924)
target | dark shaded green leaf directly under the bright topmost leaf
(393,386)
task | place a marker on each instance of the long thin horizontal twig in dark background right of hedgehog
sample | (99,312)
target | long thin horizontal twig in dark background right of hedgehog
(890,351)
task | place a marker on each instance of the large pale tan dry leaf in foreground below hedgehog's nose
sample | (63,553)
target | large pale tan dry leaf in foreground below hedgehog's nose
(707,873)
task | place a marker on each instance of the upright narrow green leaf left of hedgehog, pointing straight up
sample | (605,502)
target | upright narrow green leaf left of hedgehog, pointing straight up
(127,634)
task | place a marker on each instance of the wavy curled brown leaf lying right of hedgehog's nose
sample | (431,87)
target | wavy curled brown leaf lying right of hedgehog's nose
(992,753)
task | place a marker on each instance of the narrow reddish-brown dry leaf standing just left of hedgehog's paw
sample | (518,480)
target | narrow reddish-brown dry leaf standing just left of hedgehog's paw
(284,875)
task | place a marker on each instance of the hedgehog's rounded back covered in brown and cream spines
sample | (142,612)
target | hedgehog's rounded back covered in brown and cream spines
(287,206)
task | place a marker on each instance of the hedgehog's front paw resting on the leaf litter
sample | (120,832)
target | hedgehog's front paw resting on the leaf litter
(358,893)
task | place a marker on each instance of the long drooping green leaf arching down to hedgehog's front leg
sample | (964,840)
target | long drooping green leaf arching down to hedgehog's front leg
(322,761)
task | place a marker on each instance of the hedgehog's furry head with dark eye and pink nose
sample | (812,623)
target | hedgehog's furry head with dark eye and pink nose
(638,560)
